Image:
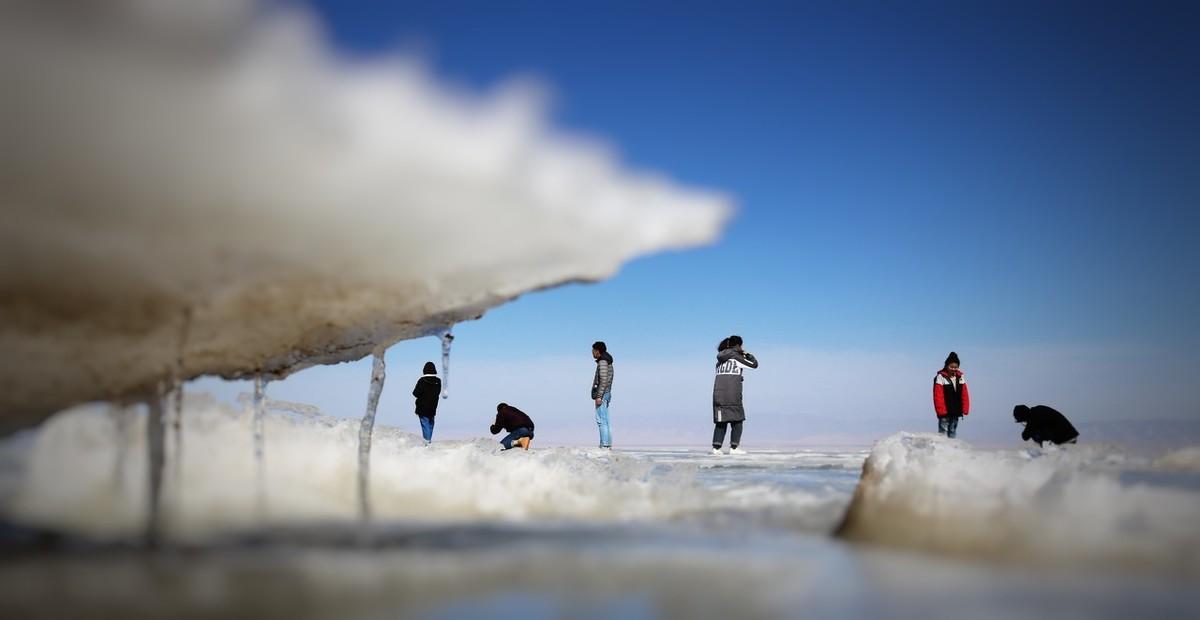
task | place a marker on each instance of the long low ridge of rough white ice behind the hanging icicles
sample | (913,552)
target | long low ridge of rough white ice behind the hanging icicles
(85,471)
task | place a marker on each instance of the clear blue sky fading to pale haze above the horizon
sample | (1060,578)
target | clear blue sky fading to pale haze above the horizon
(1015,182)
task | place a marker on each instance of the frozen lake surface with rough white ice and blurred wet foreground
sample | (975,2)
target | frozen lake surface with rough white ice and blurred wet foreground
(464,532)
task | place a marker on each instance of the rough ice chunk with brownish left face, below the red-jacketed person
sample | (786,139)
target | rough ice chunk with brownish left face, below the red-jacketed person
(1055,505)
